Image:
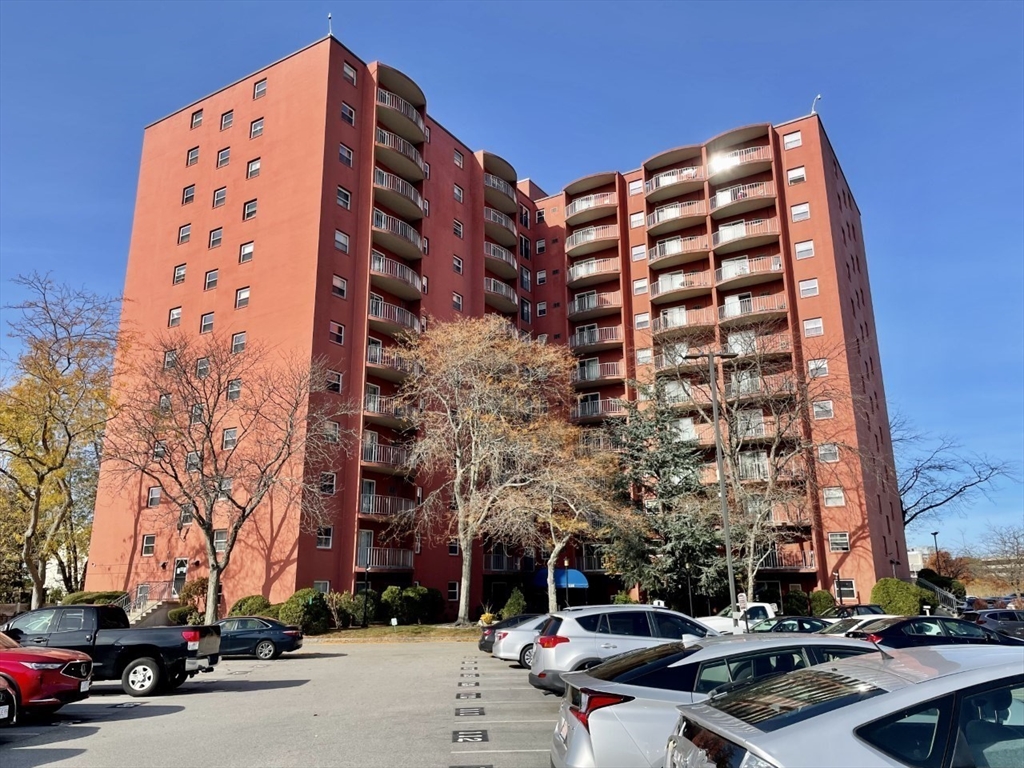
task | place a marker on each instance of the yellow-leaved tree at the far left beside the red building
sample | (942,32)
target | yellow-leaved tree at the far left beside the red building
(54,407)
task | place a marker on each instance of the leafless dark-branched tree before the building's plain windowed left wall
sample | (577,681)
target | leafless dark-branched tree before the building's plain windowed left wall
(223,430)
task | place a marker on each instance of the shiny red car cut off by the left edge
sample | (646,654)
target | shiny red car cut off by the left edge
(44,680)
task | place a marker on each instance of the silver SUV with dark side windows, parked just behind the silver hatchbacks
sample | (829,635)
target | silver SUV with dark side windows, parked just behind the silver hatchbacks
(578,638)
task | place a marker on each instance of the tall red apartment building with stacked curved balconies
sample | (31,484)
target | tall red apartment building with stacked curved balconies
(323,190)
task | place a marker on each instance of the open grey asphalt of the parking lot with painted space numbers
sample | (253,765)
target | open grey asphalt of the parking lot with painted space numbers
(329,705)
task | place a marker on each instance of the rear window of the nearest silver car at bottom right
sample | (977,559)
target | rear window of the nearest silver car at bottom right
(779,702)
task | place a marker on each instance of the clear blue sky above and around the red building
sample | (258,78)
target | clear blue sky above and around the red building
(924,104)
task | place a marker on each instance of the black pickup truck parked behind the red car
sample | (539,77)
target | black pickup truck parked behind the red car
(146,660)
